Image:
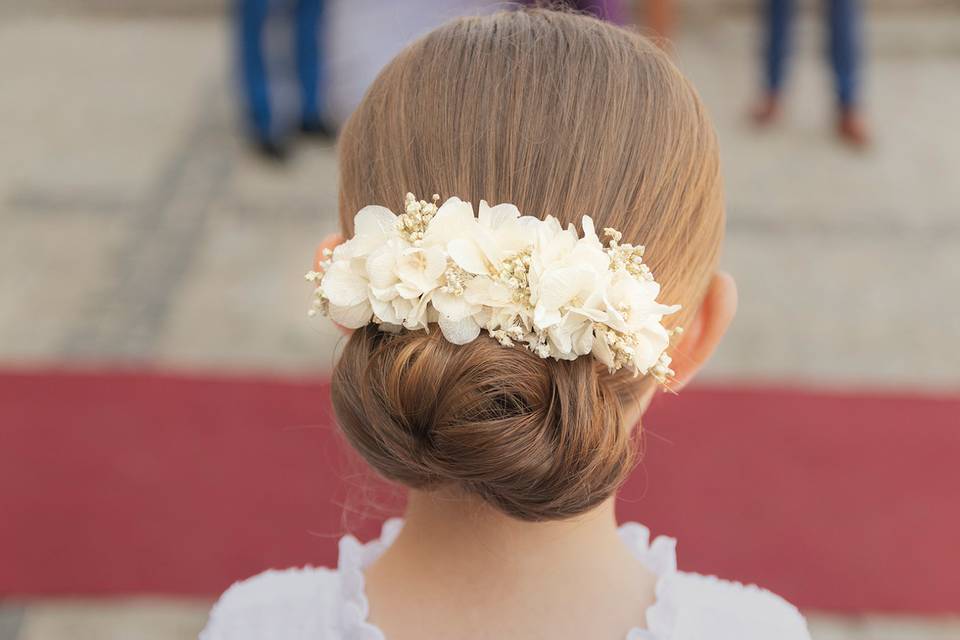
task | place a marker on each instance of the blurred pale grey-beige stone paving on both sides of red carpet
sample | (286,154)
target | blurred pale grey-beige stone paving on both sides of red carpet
(137,230)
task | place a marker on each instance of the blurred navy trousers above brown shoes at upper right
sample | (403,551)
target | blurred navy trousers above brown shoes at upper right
(843,17)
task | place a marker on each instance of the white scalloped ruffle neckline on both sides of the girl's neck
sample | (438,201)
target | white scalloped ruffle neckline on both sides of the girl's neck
(658,555)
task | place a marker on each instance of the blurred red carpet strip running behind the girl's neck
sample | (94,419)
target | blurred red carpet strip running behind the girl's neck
(121,483)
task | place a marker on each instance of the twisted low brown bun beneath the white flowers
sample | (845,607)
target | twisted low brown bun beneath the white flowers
(536,438)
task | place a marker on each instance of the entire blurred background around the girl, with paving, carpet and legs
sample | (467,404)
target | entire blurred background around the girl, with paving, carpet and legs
(167,167)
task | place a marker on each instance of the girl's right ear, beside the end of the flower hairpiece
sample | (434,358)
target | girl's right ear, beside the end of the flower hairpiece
(703,334)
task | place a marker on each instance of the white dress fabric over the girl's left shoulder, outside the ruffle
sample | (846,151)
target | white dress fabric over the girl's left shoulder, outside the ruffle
(290,603)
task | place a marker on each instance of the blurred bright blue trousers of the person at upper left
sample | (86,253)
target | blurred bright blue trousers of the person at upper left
(251,17)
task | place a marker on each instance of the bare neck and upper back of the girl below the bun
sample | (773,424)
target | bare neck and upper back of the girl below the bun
(456,554)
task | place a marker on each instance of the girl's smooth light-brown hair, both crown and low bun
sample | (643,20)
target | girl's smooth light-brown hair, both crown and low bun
(559,114)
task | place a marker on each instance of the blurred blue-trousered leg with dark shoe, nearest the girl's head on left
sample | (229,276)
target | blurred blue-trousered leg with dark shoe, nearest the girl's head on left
(310,64)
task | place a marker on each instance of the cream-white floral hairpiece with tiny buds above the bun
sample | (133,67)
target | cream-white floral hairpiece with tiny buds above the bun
(521,279)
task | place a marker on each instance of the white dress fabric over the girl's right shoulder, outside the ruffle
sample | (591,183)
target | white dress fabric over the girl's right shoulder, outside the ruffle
(694,606)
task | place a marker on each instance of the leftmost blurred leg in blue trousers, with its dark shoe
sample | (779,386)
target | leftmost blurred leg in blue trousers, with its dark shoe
(251,19)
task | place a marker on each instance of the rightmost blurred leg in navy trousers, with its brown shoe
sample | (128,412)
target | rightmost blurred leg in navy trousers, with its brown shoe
(844,49)
